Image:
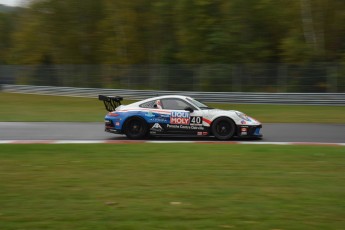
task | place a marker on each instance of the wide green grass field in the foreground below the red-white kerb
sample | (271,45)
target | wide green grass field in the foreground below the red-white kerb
(171,186)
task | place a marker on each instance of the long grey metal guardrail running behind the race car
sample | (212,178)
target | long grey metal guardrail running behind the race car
(218,97)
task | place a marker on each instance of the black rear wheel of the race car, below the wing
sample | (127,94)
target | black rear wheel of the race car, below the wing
(136,128)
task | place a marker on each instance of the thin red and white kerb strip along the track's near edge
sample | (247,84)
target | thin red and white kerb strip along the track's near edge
(163,142)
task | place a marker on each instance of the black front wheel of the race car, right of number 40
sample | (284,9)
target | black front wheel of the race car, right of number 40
(223,128)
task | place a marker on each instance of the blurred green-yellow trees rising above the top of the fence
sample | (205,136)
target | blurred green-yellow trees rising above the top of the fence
(175,32)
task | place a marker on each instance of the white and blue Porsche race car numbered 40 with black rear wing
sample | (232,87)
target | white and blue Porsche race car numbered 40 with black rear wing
(176,115)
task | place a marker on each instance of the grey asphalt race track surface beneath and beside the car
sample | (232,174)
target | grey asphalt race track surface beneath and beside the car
(277,132)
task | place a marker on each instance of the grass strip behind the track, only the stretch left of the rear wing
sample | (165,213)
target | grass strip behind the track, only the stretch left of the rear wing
(27,107)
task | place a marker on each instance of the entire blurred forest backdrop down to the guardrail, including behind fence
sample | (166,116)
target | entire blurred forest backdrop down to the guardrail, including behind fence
(227,45)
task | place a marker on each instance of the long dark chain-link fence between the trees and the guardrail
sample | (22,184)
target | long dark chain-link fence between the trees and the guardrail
(259,77)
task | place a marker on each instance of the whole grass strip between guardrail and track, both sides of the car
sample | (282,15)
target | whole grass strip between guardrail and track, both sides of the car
(22,107)
